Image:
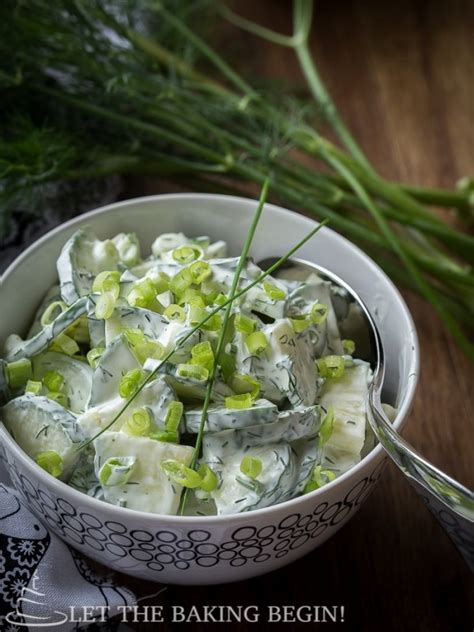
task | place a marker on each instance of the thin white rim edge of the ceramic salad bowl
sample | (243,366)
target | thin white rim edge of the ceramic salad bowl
(61,487)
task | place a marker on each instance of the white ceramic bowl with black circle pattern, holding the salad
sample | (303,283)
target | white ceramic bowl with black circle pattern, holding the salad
(207,550)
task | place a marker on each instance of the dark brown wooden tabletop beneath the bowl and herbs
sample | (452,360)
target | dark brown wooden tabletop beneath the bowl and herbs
(402,75)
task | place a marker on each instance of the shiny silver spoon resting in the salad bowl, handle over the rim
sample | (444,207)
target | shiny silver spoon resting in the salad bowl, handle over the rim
(449,501)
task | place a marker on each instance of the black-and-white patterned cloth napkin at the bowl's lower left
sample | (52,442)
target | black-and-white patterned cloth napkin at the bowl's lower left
(45,585)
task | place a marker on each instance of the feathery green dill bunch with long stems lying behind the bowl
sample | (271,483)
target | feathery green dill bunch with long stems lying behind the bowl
(125,87)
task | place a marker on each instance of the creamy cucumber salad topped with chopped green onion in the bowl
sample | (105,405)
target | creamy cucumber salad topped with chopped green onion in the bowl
(107,390)
